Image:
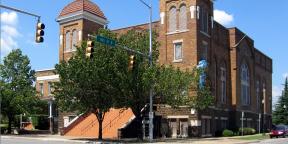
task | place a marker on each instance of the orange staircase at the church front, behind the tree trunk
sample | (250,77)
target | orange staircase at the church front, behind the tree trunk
(86,125)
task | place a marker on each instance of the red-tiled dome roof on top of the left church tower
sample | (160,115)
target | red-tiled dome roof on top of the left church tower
(82,6)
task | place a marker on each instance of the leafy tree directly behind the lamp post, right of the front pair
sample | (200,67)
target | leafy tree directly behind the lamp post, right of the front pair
(171,85)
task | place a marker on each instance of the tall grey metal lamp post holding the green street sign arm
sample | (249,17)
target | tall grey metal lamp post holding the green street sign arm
(151,115)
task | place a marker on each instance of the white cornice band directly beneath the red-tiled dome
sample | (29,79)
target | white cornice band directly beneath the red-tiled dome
(82,15)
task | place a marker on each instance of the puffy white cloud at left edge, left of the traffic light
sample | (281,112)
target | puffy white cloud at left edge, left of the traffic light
(9,32)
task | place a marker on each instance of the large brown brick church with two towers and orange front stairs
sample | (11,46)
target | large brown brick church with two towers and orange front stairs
(240,74)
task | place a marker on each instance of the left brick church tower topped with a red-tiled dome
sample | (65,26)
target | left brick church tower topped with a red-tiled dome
(77,20)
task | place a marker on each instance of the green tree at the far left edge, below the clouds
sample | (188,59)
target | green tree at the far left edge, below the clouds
(17,92)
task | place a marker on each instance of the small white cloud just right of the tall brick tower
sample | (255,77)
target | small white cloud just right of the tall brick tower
(223,17)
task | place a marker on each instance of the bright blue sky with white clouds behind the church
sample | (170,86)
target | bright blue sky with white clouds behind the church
(264,21)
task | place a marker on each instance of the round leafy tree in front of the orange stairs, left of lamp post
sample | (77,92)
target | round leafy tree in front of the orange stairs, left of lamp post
(90,85)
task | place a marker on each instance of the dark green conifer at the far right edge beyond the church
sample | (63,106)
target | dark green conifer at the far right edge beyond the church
(280,114)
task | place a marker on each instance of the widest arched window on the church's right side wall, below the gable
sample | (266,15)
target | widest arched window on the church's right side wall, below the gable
(245,85)
